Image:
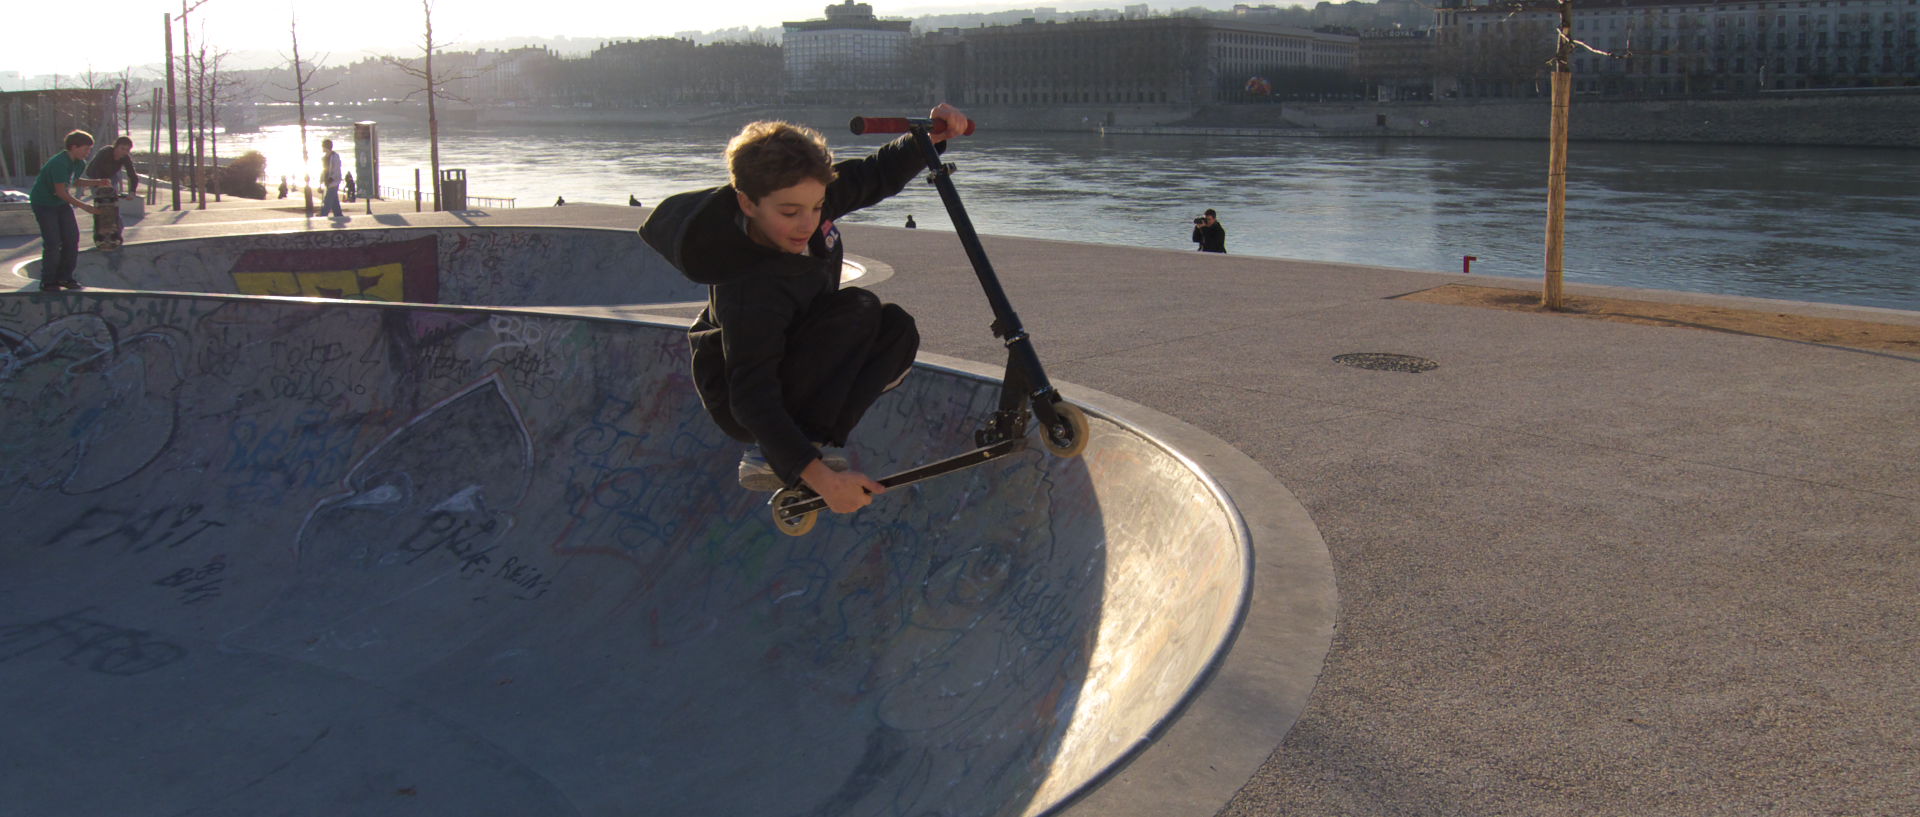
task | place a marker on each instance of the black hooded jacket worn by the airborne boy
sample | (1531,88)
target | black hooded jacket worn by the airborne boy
(759,294)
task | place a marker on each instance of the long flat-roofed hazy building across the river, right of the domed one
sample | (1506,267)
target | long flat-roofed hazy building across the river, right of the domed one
(1159,60)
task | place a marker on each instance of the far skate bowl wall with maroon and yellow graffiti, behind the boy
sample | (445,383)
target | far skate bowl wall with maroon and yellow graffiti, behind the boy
(485,268)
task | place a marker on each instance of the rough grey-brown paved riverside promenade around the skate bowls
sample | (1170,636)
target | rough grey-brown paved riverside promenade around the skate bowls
(1583,569)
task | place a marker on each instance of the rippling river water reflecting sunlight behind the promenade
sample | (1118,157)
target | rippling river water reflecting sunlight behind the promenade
(1836,225)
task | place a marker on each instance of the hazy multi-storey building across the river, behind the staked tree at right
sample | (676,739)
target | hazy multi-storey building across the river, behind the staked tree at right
(1656,49)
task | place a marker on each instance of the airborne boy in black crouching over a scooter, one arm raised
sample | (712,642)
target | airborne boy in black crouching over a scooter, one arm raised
(784,358)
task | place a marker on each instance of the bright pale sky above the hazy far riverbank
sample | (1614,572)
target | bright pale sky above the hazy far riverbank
(122,34)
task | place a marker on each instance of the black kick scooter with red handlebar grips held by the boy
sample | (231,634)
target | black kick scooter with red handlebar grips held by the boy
(1024,390)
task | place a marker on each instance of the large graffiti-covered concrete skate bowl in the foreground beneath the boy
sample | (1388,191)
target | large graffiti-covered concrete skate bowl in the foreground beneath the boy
(396,559)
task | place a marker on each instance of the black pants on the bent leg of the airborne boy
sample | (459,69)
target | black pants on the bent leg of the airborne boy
(842,358)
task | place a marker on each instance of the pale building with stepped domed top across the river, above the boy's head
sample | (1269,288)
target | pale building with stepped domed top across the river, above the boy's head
(850,55)
